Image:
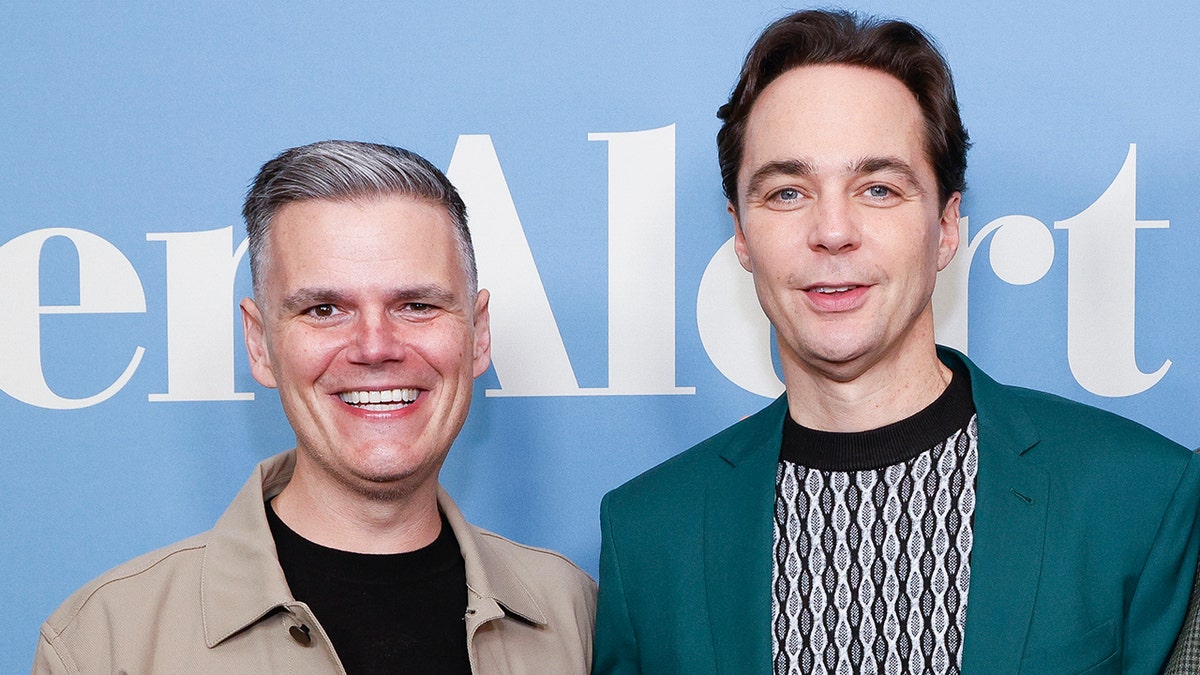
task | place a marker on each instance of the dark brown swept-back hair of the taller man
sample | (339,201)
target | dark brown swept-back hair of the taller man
(815,38)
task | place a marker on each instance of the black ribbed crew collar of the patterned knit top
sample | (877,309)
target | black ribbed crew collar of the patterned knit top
(886,446)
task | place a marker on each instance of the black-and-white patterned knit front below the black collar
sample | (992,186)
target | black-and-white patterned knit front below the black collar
(872,569)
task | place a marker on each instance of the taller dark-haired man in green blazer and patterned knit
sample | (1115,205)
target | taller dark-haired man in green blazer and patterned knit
(897,511)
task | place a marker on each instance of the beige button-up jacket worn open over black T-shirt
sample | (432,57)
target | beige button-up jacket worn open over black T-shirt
(219,604)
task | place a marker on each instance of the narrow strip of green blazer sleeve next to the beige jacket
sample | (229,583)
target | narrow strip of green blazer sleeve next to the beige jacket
(616,647)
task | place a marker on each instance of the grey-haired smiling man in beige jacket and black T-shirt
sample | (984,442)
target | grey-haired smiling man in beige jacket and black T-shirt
(345,555)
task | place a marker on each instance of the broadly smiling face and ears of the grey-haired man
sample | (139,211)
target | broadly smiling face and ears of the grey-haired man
(367,326)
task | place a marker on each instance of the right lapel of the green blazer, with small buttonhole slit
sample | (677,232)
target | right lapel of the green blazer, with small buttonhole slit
(1010,531)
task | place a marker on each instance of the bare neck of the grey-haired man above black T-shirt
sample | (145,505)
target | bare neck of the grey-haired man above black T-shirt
(332,516)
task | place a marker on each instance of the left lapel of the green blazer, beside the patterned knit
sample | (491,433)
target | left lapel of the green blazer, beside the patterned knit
(739,542)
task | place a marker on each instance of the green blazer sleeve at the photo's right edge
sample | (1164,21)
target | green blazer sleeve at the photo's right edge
(1161,598)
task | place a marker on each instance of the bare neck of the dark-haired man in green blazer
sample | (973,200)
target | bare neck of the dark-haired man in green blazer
(885,393)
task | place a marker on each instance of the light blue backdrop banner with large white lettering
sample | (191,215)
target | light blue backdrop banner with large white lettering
(583,139)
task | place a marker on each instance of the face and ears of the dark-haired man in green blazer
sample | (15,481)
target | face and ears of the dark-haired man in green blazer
(839,220)
